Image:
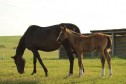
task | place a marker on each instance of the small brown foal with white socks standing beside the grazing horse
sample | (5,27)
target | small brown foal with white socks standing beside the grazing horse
(81,43)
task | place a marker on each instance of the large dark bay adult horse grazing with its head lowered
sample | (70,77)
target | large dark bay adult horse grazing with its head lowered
(42,38)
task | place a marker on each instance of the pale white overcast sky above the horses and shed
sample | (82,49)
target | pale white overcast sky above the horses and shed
(17,15)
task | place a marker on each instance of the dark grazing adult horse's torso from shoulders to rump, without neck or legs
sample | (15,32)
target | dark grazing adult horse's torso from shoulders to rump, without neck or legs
(44,38)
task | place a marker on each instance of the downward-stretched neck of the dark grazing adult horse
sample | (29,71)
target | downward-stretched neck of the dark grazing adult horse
(21,47)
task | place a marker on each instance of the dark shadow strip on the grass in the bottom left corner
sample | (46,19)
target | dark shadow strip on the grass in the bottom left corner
(19,82)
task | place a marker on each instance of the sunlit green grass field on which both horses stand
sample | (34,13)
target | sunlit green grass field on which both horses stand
(58,68)
